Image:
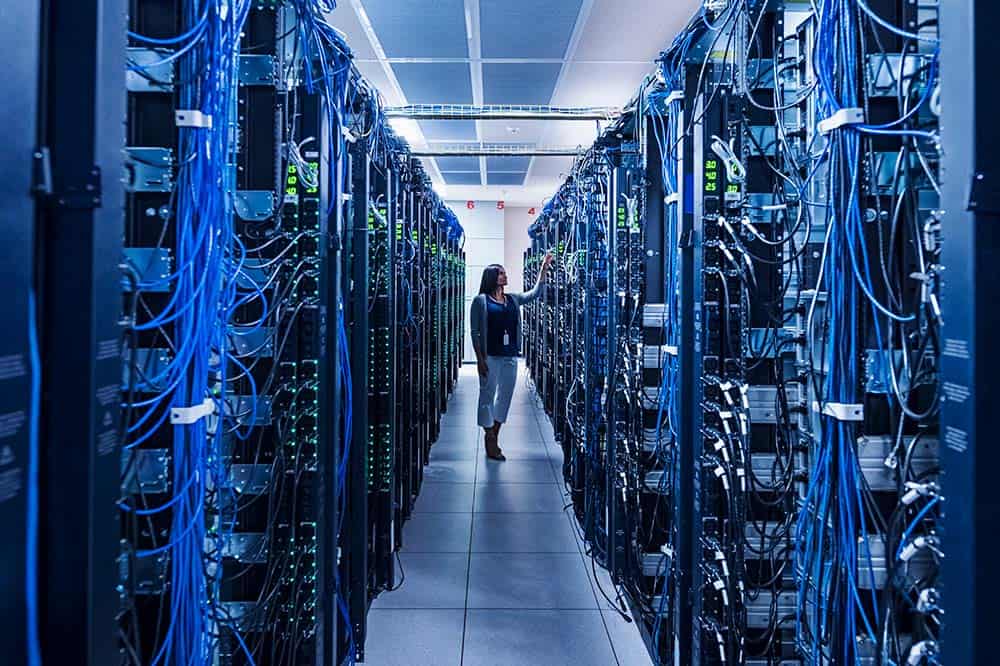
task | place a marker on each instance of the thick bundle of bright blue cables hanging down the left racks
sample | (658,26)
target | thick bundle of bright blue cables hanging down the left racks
(203,295)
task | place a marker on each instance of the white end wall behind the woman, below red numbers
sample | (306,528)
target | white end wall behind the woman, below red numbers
(492,236)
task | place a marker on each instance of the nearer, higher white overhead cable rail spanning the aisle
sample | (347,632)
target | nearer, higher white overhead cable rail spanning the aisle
(501,112)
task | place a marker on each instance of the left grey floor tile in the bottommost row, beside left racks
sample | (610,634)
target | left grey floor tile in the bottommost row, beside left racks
(414,637)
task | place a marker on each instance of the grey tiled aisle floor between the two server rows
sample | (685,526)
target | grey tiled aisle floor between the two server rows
(494,571)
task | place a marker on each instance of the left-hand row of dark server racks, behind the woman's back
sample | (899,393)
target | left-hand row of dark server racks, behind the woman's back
(235,315)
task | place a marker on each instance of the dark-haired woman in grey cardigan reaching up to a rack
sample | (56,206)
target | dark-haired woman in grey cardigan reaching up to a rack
(495,320)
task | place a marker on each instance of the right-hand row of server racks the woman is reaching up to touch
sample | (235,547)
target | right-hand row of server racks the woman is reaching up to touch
(741,350)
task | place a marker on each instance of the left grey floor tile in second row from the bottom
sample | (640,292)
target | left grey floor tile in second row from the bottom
(432,580)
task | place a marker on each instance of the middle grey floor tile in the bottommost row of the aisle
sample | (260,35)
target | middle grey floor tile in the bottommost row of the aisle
(550,637)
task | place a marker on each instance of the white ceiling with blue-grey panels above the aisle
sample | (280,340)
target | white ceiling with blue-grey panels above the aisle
(597,52)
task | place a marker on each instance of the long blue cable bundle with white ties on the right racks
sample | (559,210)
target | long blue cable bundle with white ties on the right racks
(835,514)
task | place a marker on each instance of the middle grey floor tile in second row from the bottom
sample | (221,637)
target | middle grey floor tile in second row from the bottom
(529,580)
